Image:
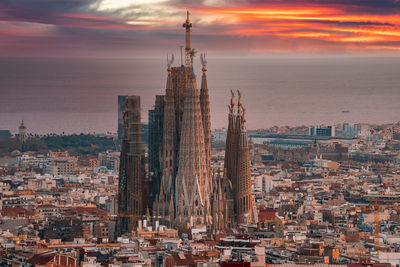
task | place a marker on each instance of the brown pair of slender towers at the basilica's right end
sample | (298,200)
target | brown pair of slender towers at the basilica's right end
(237,163)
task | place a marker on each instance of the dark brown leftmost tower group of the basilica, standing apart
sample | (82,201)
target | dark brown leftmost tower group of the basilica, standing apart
(132,171)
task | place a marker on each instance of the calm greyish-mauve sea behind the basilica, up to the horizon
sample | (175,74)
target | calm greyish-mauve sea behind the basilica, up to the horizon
(80,95)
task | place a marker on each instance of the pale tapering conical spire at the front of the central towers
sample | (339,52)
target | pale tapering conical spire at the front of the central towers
(192,183)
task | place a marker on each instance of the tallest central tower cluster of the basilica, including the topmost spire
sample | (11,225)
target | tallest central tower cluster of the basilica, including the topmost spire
(183,184)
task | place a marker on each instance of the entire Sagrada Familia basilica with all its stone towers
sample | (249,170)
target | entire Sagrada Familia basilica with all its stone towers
(185,193)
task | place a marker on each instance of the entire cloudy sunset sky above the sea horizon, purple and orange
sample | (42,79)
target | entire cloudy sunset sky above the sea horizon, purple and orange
(118,28)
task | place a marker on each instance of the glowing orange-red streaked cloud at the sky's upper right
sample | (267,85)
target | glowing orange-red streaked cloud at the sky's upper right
(327,24)
